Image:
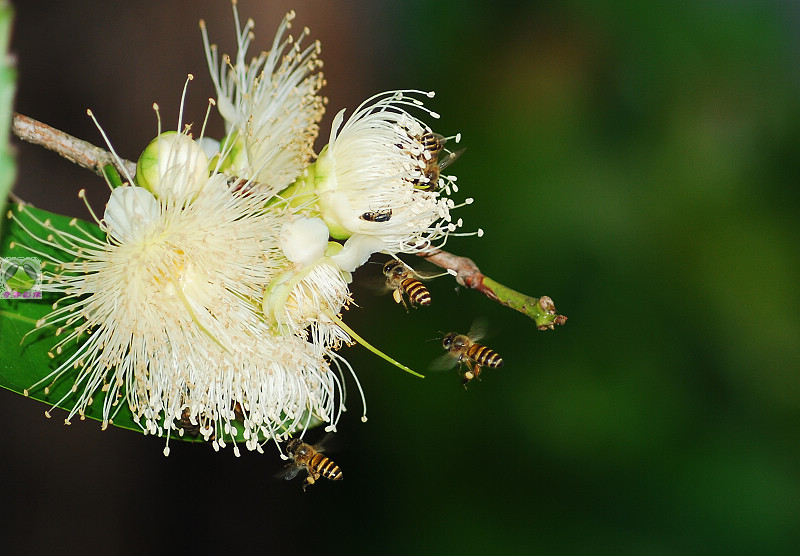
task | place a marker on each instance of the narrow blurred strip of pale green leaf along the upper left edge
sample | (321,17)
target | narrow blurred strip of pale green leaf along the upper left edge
(7,82)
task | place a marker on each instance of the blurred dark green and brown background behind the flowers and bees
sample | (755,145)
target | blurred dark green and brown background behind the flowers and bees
(638,162)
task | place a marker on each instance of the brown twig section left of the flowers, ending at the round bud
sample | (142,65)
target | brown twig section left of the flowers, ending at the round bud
(73,149)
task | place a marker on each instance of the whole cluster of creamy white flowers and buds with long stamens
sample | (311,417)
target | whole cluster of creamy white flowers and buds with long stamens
(214,300)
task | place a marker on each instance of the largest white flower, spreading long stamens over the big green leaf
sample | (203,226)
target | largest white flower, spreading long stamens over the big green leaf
(166,313)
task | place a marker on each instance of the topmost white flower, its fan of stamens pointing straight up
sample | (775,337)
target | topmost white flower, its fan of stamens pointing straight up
(270,105)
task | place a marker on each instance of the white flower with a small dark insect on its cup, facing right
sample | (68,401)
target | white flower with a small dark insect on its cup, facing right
(373,179)
